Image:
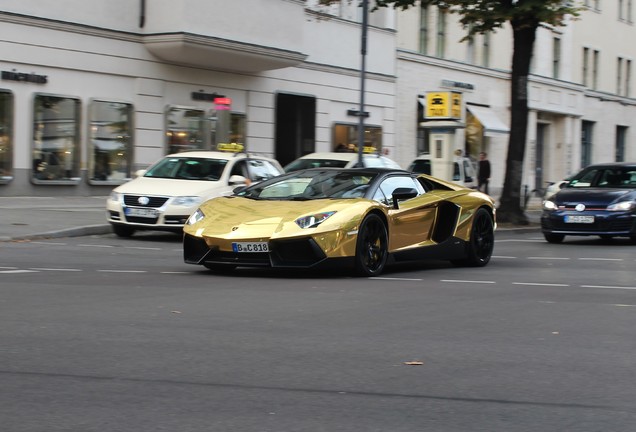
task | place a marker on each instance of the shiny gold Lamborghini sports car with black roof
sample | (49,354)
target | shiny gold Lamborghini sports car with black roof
(359,219)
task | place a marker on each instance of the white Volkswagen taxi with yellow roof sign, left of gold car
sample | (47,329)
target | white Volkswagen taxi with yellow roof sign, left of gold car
(163,196)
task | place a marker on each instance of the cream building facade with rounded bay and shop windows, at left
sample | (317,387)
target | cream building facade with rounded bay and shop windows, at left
(91,90)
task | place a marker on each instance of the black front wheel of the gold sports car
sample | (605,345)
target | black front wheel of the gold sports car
(372,246)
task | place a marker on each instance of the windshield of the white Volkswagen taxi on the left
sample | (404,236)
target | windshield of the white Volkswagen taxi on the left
(187,168)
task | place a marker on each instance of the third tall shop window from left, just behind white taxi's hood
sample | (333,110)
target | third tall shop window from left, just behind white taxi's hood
(110,146)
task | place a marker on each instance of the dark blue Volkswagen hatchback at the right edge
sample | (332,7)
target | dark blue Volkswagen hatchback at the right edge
(599,200)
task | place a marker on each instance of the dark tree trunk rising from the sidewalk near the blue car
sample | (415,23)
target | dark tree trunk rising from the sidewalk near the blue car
(510,206)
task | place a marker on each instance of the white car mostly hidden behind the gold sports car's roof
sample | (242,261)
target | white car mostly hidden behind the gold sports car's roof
(340,160)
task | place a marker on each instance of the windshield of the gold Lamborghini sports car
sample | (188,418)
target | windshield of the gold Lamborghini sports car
(312,184)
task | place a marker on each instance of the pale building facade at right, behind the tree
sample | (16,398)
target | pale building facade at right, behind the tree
(581,97)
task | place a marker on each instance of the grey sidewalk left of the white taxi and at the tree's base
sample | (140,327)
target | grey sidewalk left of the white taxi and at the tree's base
(27,218)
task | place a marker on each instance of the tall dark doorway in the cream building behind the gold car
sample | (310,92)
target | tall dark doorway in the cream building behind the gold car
(295,127)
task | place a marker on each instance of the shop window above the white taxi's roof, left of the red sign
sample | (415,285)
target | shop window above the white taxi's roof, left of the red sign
(186,129)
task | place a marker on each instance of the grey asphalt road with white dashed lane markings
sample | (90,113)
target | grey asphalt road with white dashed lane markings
(107,334)
